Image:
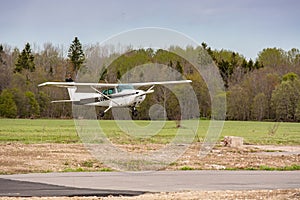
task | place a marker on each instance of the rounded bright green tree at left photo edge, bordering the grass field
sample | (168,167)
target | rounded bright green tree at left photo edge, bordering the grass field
(8,107)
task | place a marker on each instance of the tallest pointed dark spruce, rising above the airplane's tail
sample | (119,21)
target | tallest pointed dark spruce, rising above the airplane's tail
(76,55)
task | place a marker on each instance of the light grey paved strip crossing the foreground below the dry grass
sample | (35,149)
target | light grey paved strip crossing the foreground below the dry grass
(135,183)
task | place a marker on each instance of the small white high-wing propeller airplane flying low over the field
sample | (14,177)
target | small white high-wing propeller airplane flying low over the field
(108,94)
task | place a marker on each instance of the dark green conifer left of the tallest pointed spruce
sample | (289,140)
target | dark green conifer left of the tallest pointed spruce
(25,60)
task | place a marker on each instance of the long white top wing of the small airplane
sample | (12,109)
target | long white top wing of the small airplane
(97,85)
